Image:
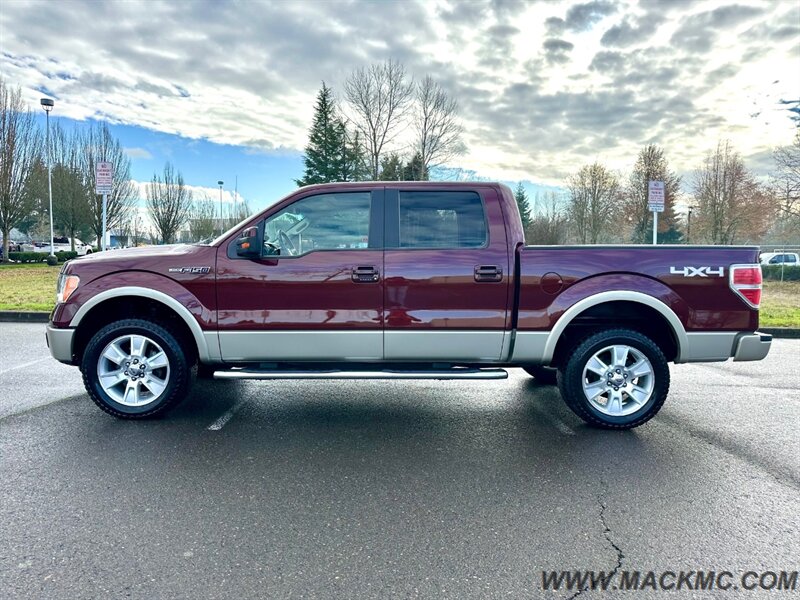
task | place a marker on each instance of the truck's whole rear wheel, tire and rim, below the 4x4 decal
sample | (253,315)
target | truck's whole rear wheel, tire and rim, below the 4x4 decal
(615,379)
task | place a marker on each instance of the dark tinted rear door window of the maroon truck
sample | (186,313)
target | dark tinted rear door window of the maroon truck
(442,220)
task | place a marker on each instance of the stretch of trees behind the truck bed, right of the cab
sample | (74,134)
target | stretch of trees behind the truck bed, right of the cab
(726,203)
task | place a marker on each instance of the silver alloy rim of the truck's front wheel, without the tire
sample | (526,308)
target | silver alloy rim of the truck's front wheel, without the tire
(133,370)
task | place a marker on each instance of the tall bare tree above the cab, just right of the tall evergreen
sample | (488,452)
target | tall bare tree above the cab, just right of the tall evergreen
(379,97)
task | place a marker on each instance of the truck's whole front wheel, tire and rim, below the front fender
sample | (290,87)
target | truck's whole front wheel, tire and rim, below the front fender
(134,369)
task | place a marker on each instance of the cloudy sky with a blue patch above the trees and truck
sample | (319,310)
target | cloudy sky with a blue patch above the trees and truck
(227,89)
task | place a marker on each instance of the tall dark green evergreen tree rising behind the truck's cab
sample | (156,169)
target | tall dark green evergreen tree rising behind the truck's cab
(324,154)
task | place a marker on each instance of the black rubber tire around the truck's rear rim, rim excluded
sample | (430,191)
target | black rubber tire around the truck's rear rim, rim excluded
(571,378)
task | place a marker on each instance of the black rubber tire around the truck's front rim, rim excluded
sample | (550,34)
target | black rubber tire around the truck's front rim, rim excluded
(178,377)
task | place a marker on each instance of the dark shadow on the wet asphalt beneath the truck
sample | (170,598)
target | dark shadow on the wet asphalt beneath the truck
(524,425)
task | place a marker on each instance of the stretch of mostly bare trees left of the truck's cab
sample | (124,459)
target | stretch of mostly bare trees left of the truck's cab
(77,210)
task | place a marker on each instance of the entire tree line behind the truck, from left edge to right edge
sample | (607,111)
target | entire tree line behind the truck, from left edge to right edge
(389,127)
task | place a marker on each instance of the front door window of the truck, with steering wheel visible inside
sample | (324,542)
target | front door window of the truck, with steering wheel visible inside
(323,222)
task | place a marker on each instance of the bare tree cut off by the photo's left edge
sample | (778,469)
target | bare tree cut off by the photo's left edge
(20,149)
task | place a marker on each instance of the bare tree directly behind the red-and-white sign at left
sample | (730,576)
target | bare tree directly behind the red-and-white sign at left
(98,145)
